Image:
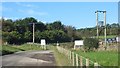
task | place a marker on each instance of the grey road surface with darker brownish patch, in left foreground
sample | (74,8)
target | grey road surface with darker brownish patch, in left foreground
(29,58)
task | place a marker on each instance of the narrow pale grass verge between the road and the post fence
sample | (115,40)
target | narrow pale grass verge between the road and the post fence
(61,59)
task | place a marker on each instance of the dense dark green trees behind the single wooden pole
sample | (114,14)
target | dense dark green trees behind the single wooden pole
(21,31)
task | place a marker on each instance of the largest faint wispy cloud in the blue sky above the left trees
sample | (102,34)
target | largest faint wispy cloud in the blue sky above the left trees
(33,12)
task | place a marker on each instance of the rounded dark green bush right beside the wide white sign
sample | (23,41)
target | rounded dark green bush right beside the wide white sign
(90,44)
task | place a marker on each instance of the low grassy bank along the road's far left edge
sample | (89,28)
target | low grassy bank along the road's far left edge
(9,49)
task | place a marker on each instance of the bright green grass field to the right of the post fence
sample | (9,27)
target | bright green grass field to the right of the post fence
(104,58)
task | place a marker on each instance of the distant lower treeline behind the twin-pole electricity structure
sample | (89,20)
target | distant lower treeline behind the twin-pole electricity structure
(112,29)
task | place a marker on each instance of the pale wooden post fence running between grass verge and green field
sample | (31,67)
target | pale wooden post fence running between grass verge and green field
(77,60)
